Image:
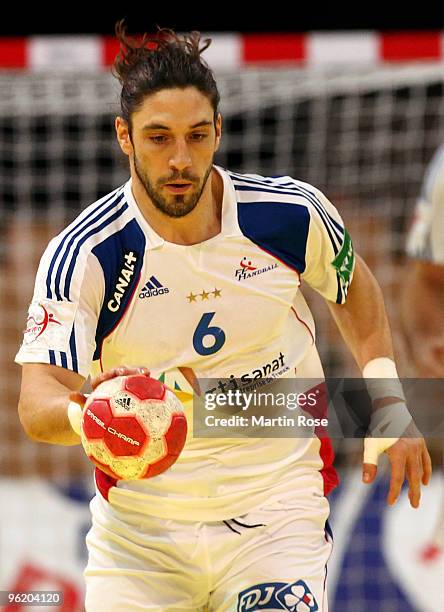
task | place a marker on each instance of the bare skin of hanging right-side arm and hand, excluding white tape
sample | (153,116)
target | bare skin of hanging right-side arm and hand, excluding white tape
(363,324)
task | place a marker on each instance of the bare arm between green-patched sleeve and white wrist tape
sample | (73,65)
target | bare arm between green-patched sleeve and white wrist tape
(362,320)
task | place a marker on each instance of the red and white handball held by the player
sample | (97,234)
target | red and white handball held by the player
(133,427)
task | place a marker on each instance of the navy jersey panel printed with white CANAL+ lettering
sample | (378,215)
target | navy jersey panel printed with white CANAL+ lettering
(123,250)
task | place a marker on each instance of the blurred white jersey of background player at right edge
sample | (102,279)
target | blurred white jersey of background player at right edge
(426,237)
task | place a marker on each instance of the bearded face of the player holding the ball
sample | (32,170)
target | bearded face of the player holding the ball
(172,145)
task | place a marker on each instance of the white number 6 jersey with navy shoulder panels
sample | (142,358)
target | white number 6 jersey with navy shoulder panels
(110,291)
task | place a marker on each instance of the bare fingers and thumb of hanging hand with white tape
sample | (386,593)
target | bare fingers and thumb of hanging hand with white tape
(409,458)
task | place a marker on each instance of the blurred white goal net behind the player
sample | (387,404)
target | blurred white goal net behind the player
(363,137)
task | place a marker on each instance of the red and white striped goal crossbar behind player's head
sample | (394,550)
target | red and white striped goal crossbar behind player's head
(234,50)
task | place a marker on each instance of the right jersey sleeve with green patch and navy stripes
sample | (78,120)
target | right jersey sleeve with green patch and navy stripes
(329,255)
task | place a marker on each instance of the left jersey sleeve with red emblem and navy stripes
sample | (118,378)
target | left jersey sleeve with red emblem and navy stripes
(63,314)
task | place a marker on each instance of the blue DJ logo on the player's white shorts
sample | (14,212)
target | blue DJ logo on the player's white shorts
(294,597)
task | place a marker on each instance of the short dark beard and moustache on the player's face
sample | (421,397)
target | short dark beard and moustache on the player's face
(177,205)
